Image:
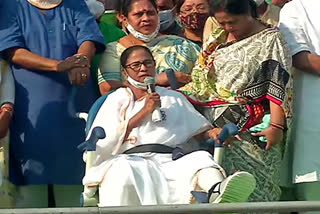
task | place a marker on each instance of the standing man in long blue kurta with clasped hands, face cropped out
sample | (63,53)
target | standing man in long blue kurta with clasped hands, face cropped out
(37,37)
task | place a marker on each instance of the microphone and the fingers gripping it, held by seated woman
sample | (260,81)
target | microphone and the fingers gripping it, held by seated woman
(156,114)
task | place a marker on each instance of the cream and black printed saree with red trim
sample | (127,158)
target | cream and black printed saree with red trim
(234,82)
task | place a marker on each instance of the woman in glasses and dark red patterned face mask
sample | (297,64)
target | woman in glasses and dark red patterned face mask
(192,15)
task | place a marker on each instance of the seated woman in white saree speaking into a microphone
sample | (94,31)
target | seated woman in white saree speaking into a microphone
(129,174)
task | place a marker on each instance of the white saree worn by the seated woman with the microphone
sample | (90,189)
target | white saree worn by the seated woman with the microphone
(146,178)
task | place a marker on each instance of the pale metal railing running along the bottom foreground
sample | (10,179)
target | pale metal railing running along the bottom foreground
(252,207)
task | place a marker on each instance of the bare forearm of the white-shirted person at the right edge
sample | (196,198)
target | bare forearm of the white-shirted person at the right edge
(305,61)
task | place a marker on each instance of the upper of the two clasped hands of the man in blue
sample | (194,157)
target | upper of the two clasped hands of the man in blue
(75,61)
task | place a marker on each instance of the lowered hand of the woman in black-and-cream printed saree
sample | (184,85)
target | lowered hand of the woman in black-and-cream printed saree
(273,135)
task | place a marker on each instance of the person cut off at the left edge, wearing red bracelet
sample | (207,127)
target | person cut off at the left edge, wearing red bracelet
(6,112)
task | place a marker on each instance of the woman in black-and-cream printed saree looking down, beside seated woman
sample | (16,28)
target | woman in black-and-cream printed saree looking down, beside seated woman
(241,76)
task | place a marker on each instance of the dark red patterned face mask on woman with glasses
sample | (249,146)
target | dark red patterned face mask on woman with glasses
(194,21)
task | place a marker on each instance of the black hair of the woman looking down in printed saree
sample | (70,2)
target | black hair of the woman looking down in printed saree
(235,7)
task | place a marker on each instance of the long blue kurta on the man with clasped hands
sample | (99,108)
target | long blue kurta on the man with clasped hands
(44,137)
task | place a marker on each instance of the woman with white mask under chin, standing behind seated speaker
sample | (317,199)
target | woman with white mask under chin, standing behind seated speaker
(142,22)
